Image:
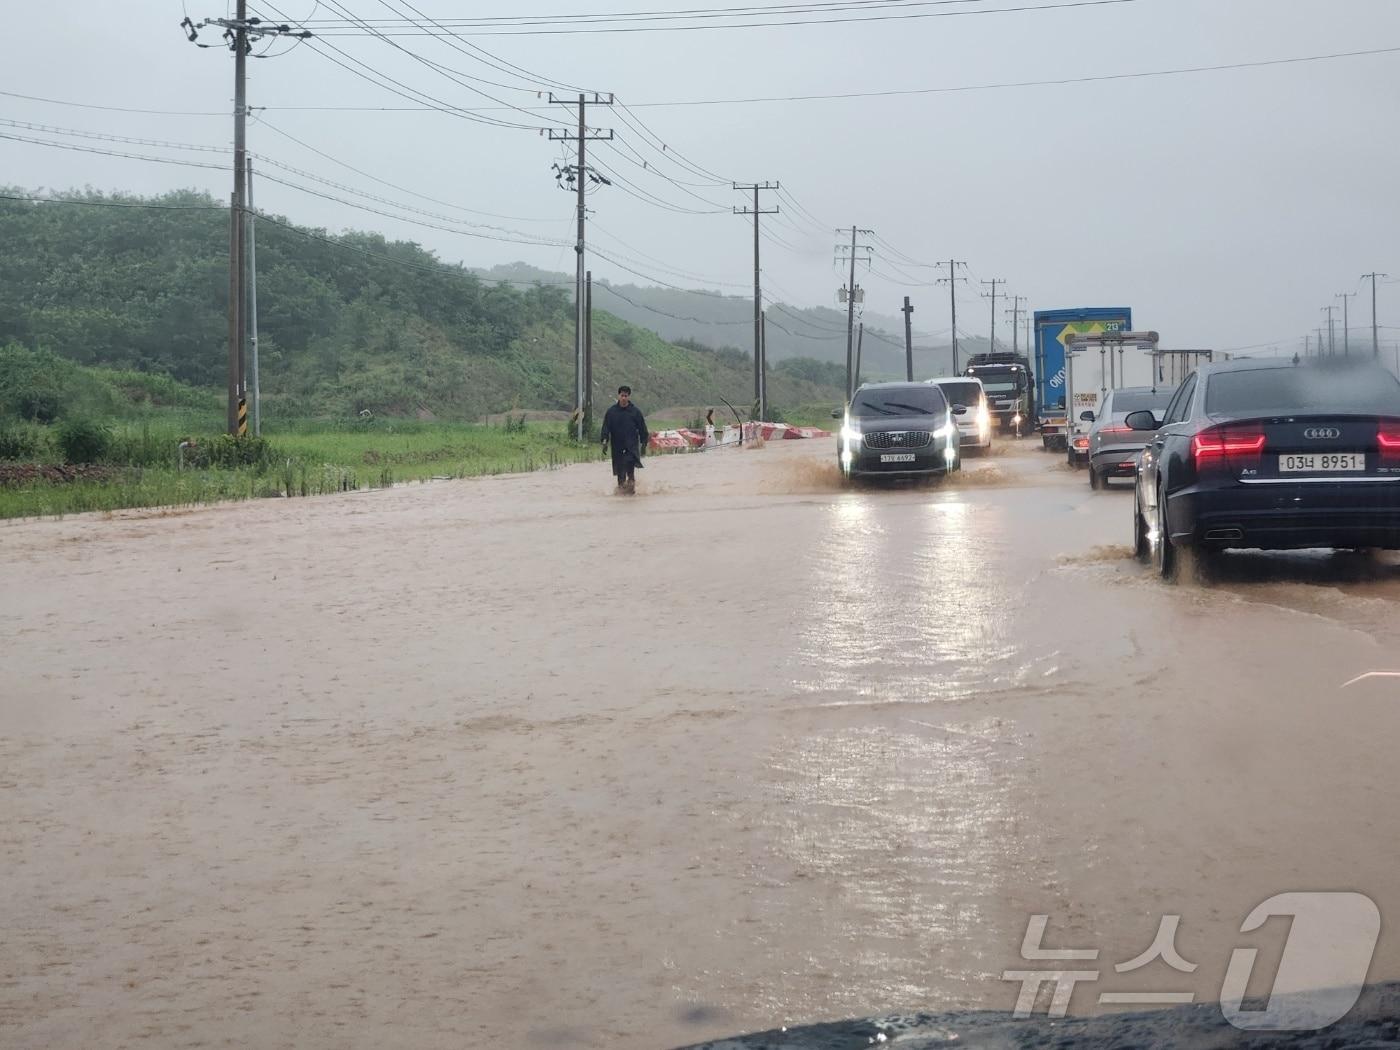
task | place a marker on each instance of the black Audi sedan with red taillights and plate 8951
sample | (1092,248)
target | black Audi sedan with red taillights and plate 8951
(1272,454)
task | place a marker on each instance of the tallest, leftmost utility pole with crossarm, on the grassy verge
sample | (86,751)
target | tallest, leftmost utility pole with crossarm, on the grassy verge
(240,34)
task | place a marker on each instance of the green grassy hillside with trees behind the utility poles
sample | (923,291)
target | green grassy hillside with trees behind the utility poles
(348,323)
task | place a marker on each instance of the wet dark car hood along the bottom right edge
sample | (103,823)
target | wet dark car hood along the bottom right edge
(1373,1023)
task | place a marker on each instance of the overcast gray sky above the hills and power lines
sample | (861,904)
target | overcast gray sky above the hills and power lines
(1226,208)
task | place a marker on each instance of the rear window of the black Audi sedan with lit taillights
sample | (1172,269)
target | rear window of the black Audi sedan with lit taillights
(1311,388)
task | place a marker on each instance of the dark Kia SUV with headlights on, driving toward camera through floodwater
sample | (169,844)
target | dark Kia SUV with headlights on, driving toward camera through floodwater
(899,429)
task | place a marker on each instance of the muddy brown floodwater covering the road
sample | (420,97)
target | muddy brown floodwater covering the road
(517,759)
